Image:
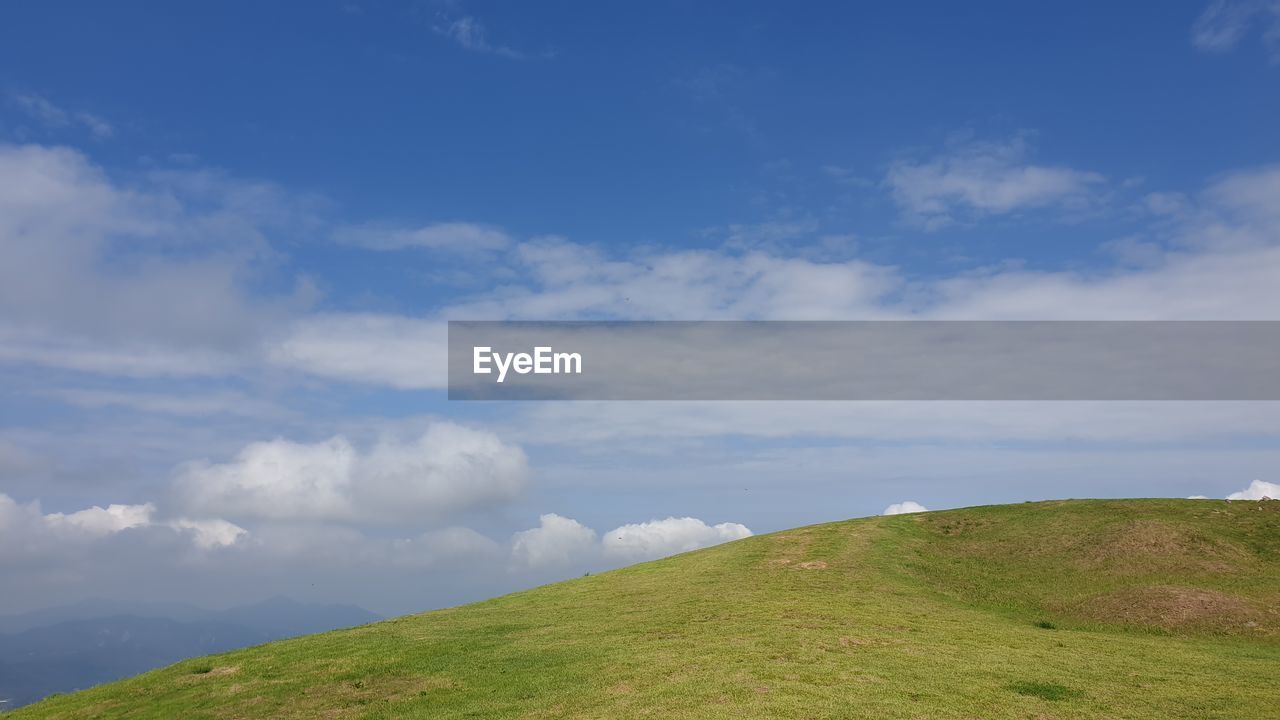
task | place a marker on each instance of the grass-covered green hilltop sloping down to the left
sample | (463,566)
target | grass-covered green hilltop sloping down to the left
(1052,610)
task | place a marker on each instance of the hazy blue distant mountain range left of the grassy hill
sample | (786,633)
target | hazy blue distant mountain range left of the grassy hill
(79,646)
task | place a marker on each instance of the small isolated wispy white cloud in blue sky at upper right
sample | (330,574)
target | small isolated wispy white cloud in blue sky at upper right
(985,179)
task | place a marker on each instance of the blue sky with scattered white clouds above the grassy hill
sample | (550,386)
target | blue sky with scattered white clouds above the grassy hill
(231,235)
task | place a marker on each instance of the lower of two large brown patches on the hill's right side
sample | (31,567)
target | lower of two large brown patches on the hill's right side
(1176,608)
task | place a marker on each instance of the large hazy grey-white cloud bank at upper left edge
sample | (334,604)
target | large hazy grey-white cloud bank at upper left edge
(132,280)
